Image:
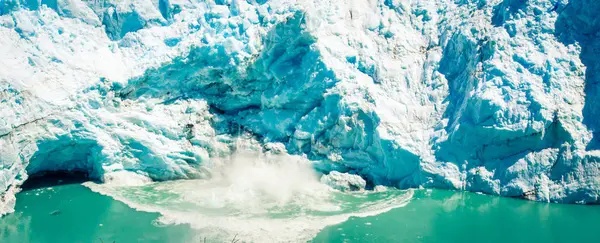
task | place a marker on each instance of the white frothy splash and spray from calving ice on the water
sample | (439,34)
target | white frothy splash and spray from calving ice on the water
(256,197)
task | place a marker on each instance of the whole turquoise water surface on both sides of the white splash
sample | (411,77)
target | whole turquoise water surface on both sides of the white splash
(73,213)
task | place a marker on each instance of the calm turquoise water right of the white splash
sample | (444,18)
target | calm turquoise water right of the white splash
(446,216)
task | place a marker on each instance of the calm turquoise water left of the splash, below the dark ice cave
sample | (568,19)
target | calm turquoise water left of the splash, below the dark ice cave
(73,213)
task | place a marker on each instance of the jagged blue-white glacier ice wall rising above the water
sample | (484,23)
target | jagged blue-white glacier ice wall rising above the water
(496,96)
